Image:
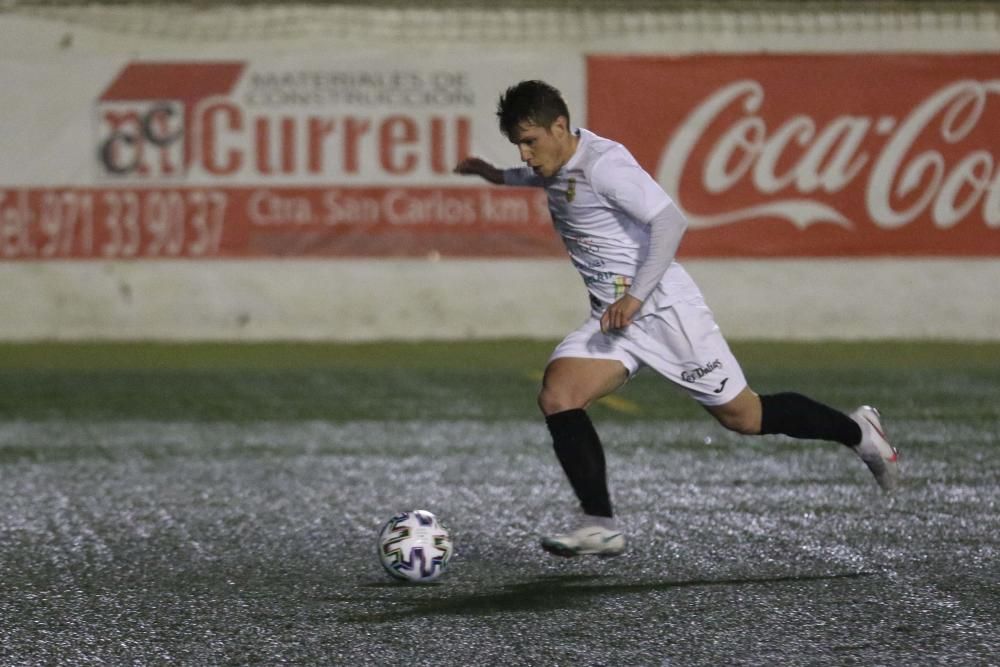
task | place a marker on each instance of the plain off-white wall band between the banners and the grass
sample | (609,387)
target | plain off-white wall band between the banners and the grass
(416,299)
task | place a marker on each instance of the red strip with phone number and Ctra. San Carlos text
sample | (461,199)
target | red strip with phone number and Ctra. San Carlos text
(232,222)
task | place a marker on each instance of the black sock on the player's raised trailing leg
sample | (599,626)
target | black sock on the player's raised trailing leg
(801,417)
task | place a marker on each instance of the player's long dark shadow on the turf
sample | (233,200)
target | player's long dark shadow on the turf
(557,592)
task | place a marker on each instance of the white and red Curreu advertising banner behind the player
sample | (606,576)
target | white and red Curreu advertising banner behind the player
(272,158)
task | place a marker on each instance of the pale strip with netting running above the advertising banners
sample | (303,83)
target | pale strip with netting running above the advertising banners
(623,25)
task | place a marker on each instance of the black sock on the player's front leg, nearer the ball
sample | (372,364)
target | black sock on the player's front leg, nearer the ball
(581,455)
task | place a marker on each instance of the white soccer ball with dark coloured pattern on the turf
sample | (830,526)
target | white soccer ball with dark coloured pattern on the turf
(413,546)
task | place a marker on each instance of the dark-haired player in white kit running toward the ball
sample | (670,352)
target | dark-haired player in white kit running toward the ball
(621,231)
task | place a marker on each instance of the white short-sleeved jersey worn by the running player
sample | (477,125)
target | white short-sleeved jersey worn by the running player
(601,202)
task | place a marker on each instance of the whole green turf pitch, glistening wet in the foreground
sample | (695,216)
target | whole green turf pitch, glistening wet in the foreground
(218,505)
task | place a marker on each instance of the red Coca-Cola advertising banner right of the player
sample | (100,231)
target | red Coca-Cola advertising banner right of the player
(814,155)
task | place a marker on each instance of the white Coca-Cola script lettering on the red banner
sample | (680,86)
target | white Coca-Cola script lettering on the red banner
(903,164)
